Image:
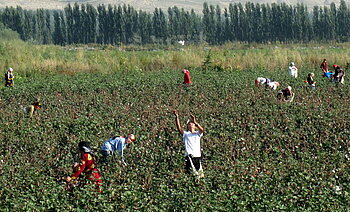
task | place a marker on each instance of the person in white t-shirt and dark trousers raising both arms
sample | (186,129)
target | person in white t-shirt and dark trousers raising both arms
(192,142)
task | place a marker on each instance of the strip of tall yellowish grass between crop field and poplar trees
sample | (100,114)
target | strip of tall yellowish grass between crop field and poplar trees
(28,58)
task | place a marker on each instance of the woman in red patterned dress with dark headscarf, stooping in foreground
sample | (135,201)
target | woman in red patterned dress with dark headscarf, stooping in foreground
(86,169)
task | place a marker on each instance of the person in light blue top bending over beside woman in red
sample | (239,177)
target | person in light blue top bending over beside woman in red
(116,144)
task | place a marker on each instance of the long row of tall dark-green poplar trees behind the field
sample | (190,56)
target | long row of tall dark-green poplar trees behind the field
(83,24)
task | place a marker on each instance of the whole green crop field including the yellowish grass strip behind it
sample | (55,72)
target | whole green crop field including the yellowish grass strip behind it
(258,154)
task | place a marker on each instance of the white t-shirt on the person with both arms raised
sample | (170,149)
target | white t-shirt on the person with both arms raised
(192,143)
